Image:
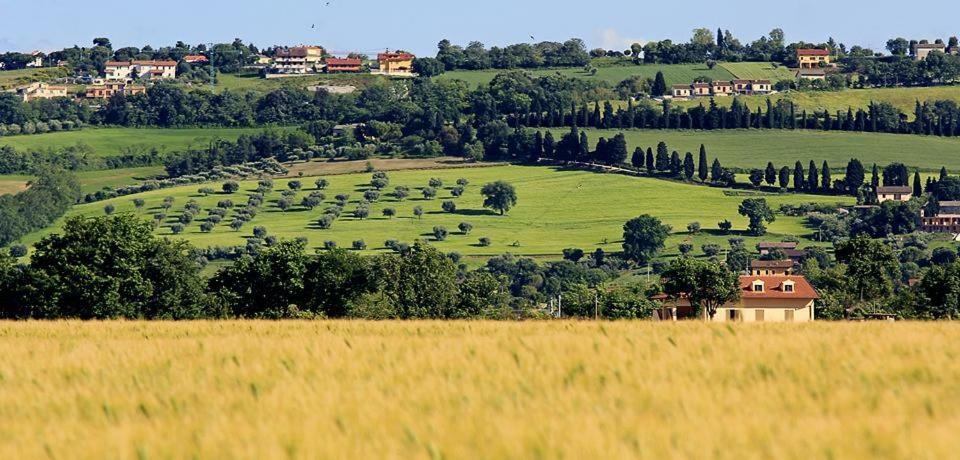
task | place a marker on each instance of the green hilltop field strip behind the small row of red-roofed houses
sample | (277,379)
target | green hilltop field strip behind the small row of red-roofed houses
(674,73)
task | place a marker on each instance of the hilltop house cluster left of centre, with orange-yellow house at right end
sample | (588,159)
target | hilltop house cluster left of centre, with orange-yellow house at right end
(301,60)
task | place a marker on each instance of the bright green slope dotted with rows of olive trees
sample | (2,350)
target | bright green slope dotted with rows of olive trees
(556,210)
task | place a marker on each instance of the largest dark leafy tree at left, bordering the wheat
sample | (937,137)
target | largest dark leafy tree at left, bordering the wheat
(113,267)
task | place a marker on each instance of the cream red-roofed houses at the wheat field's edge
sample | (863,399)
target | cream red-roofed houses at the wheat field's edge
(771,292)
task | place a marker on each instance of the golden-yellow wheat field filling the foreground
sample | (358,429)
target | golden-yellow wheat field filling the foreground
(478,390)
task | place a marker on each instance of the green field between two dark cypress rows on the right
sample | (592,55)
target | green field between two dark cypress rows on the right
(754,148)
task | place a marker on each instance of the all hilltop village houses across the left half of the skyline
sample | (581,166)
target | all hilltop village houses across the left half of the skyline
(131,77)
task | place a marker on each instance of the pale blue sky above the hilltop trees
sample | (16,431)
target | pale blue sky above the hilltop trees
(369,26)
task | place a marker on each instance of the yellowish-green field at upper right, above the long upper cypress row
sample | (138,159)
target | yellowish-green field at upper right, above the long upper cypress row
(902,98)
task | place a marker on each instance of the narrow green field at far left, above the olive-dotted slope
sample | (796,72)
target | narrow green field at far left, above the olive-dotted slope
(107,142)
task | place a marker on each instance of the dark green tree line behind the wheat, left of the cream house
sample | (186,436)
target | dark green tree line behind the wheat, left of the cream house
(113,267)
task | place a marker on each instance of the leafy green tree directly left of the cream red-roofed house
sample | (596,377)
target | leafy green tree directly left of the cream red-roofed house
(708,285)
